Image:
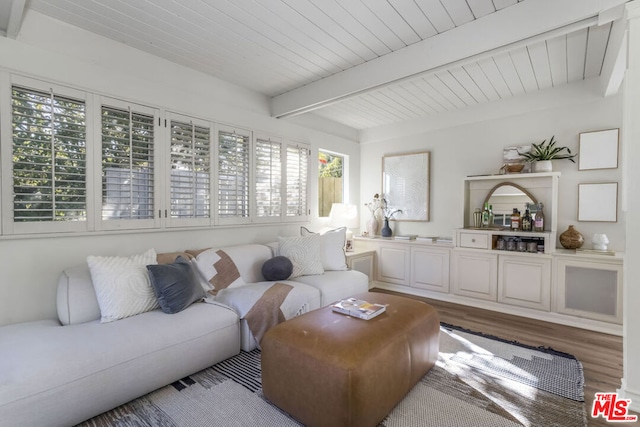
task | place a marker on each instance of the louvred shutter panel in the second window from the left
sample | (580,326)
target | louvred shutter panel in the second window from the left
(127,165)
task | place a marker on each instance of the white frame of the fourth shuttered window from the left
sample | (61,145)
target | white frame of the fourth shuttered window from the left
(235,220)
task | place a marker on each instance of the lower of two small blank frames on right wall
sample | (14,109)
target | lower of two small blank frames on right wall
(598,202)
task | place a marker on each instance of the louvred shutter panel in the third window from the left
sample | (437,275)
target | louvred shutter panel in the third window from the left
(190,171)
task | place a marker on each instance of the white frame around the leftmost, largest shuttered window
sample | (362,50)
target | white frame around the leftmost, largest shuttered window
(9,226)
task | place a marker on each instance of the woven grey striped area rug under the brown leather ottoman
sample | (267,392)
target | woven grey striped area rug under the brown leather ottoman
(477,381)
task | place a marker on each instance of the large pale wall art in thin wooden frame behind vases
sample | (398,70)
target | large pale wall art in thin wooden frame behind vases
(405,185)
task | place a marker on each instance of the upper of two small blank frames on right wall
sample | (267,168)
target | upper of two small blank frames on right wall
(599,149)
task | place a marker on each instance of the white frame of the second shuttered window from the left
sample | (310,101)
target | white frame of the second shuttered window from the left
(158,202)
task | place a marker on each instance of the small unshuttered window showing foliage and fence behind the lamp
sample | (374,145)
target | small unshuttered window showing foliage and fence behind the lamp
(330,181)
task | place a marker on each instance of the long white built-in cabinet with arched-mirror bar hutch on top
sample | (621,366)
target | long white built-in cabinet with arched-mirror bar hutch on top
(549,284)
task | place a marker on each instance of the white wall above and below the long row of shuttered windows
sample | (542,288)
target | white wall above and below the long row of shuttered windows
(53,51)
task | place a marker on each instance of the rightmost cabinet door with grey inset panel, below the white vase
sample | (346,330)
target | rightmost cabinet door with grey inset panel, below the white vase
(589,289)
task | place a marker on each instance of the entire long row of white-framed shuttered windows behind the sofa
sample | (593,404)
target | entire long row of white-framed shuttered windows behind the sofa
(74,161)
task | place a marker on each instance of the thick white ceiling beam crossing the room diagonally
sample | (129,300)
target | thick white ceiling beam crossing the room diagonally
(513,24)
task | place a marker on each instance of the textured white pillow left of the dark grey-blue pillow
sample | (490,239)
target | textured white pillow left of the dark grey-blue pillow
(122,285)
